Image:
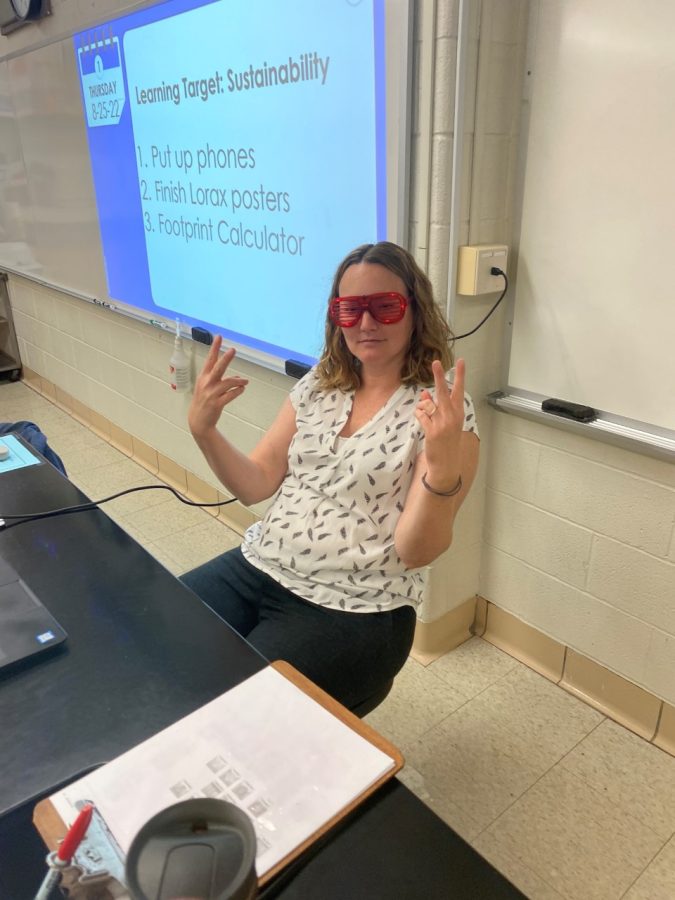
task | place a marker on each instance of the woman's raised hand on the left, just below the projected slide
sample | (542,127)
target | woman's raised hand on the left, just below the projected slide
(213,390)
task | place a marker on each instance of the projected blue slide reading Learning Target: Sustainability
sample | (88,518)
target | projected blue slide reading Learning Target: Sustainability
(238,152)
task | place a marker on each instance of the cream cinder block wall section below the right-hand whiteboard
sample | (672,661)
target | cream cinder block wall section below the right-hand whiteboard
(579,543)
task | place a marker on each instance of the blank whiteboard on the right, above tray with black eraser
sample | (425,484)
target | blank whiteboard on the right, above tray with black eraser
(594,317)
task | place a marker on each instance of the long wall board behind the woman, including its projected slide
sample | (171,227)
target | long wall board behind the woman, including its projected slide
(209,161)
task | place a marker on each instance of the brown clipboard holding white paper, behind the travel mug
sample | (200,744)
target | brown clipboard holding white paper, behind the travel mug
(294,763)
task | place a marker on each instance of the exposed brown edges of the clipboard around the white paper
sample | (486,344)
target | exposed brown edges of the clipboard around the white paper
(52,828)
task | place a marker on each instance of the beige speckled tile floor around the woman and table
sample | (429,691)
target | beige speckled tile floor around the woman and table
(564,801)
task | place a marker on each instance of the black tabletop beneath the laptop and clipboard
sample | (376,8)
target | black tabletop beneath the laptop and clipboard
(142,652)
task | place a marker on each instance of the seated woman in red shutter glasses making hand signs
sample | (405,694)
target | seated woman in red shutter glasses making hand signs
(369,467)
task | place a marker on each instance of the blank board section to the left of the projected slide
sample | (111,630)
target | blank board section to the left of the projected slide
(48,221)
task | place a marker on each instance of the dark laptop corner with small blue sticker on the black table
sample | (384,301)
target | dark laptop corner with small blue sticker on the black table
(26,627)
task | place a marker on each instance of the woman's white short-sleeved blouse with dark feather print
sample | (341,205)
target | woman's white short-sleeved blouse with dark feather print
(328,535)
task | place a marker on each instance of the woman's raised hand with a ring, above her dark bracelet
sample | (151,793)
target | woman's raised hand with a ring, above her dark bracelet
(442,420)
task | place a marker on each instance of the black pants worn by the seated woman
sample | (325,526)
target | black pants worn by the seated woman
(350,655)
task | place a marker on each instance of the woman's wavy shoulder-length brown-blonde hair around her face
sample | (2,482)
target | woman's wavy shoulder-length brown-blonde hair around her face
(431,334)
